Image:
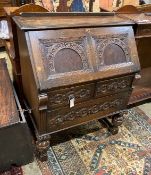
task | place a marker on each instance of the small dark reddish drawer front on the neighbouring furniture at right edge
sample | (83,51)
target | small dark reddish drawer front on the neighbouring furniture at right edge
(144,30)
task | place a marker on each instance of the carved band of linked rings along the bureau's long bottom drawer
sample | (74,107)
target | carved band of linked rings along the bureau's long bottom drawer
(74,114)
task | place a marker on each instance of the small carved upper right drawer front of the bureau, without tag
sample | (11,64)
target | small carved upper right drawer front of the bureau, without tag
(113,85)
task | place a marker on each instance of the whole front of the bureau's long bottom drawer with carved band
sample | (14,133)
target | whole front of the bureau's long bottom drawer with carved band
(67,117)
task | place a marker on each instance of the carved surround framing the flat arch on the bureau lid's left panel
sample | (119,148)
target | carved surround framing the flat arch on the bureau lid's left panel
(50,47)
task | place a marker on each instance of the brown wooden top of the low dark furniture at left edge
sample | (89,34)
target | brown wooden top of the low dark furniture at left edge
(8,109)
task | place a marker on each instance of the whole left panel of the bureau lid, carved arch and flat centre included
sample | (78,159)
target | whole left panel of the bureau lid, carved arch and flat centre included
(64,55)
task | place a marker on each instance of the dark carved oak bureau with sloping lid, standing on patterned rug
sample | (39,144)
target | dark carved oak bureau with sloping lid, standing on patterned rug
(75,68)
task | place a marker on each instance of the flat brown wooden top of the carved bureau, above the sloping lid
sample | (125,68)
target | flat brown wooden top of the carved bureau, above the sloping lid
(52,21)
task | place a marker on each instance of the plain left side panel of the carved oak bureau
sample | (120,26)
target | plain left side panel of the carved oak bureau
(30,85)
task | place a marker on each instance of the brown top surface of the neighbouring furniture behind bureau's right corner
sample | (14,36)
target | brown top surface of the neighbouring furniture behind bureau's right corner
(143,18)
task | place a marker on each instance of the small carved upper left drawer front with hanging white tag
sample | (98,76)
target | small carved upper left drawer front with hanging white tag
(63,97)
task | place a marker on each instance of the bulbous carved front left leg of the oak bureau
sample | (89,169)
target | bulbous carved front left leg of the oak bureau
(41,149)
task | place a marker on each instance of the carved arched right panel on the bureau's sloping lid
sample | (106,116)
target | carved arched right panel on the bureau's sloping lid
(118,41)
